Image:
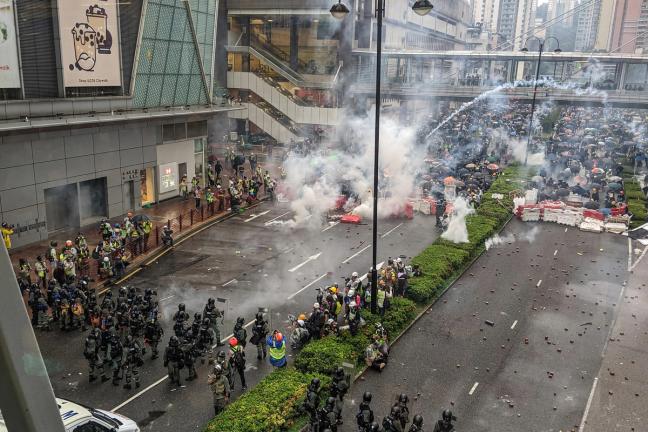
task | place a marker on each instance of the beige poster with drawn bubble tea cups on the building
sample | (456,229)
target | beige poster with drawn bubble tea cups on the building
(89,43)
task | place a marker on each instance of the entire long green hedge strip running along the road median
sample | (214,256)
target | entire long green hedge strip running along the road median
(272,405)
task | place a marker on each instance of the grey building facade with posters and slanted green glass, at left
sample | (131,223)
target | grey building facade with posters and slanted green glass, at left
(104,107)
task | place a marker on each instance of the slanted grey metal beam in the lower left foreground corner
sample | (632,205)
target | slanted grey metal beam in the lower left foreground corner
(26,396)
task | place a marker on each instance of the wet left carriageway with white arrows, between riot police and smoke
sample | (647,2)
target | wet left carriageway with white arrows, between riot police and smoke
(248,261)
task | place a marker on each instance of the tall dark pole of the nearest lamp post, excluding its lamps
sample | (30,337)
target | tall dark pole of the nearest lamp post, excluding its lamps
(374,249)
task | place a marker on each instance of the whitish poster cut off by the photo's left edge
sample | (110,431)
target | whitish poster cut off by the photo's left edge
(9,70)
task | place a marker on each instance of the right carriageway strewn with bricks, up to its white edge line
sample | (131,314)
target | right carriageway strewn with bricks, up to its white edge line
(561,292)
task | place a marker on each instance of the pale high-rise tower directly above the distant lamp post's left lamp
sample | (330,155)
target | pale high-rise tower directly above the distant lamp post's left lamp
(516,21)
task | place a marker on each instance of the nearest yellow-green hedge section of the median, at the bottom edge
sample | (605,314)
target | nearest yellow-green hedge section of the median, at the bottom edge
(272,405)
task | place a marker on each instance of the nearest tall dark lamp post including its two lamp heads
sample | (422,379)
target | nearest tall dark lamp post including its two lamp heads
(340,11)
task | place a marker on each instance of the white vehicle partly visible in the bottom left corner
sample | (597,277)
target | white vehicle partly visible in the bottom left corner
(79,418)
